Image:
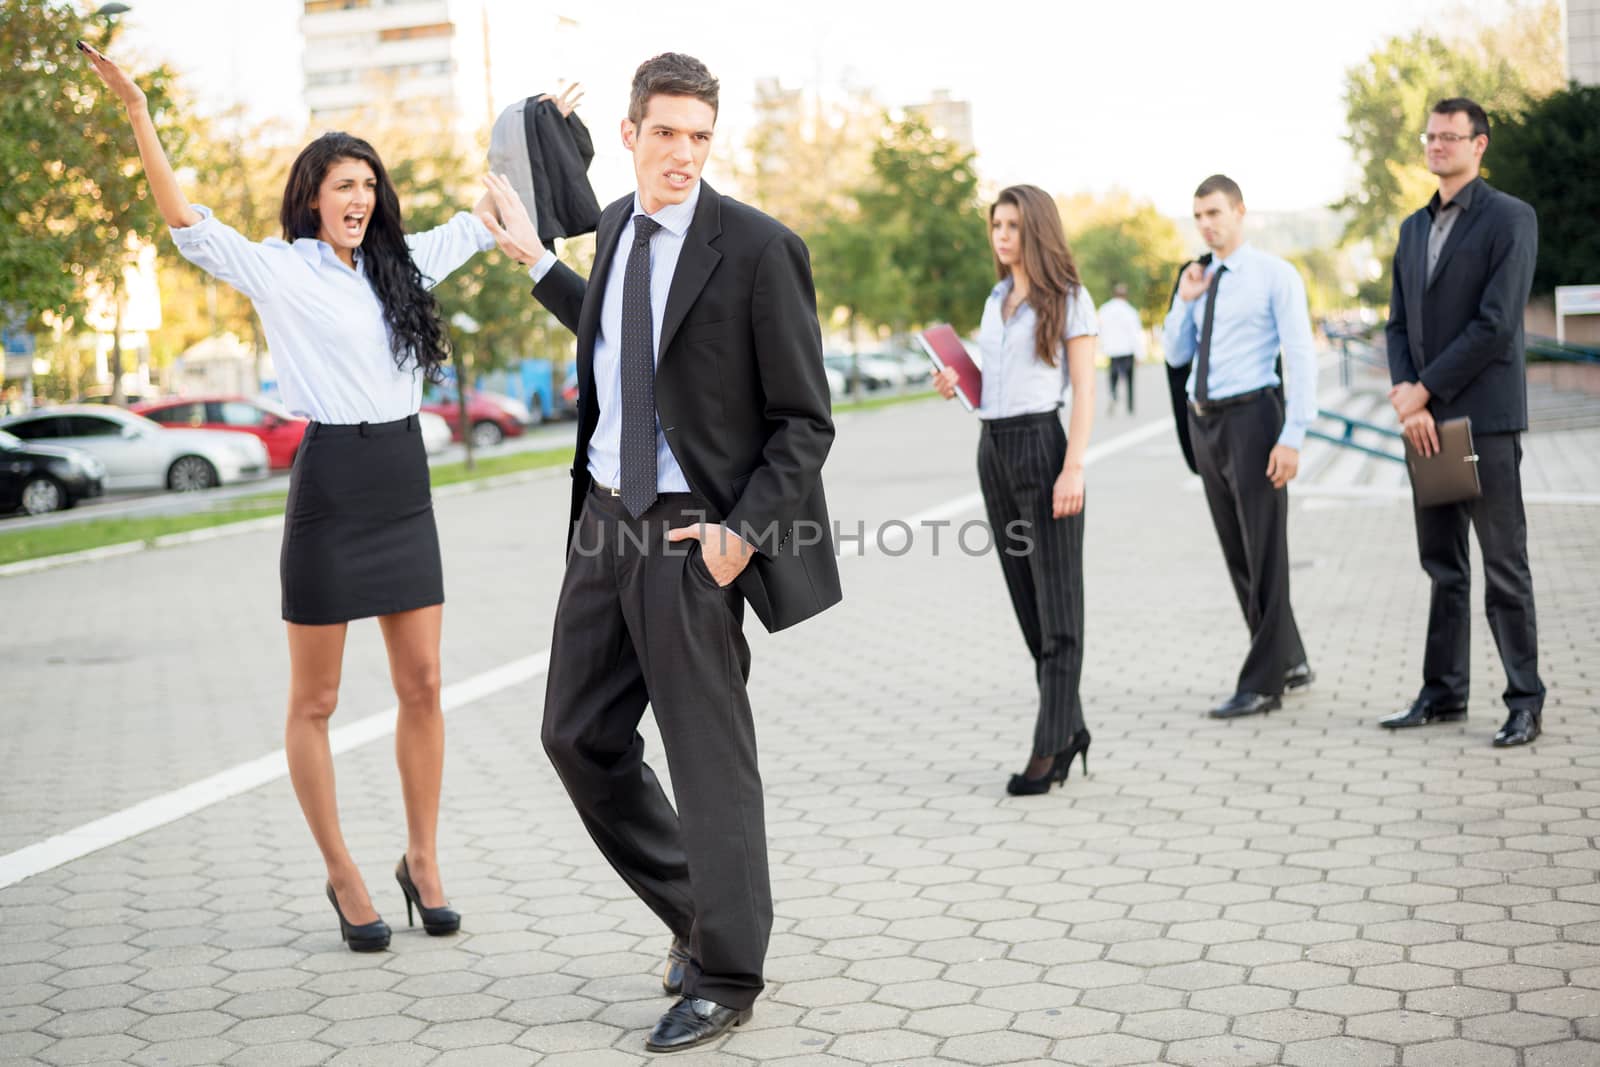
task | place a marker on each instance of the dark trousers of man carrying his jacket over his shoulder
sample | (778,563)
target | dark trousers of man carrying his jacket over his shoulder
(1252,524)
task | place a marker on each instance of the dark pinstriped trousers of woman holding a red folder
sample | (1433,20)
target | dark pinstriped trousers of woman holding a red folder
(1042,561)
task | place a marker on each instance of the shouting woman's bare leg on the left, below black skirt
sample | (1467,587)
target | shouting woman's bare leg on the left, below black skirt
(316,660)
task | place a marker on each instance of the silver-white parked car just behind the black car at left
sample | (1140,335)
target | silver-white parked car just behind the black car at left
(138,454)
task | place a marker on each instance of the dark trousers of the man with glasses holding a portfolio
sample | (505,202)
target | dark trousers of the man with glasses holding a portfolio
(1508,601)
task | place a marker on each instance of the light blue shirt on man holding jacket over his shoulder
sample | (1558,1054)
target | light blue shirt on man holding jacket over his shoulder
(1260,311)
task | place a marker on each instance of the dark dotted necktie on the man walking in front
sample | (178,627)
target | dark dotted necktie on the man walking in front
(639,375)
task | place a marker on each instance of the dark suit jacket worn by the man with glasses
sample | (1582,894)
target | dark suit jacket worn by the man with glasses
(1462,332)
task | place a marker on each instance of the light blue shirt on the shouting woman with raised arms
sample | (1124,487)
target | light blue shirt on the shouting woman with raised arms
(324,322)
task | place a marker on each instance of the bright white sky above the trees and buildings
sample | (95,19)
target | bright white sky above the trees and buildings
(1148,97)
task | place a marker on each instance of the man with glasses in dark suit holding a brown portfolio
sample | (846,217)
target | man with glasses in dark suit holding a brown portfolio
(1462,281)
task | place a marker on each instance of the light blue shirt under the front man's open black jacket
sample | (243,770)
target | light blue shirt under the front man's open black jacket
(606,447)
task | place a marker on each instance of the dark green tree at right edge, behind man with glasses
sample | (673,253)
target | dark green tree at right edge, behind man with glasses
(1550,156)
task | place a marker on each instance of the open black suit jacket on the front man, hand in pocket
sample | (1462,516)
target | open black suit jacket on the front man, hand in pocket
(740,391)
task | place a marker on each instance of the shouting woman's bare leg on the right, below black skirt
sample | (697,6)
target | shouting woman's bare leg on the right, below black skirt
(412,639)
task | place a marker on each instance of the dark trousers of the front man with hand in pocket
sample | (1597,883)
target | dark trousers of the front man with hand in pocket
(642,621)
